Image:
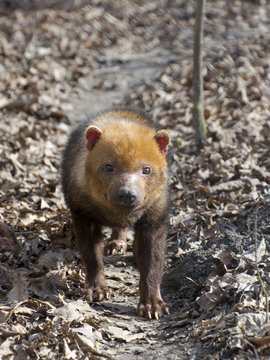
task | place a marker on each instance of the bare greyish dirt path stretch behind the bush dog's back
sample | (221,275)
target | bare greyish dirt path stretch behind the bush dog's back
(129,72)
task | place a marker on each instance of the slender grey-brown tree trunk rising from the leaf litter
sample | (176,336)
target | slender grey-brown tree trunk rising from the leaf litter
(198,110)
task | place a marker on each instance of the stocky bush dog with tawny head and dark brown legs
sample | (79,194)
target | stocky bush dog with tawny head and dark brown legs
(114,173)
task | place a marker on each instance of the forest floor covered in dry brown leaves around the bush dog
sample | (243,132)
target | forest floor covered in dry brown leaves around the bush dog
(61,61)
